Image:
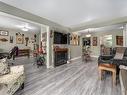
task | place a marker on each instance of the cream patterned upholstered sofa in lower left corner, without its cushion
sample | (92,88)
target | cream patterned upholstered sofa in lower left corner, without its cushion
(11,82)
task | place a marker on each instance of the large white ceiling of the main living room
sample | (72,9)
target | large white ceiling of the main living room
(72,12)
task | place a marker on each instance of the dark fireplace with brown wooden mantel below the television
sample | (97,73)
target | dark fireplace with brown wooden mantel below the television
(61,56)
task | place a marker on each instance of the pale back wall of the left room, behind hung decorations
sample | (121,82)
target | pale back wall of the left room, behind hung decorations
(7,46)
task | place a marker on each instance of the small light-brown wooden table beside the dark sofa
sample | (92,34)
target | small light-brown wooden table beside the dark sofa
(108,67)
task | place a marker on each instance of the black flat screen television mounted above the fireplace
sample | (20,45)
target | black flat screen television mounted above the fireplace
(60,38)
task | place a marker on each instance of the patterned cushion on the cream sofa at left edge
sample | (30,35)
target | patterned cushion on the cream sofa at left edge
(4,68)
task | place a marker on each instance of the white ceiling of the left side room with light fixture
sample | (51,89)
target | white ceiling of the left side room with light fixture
(10,22)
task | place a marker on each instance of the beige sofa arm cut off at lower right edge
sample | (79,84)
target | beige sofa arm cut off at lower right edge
(123,79)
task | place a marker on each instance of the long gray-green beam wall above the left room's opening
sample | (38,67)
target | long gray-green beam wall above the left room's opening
(26,15)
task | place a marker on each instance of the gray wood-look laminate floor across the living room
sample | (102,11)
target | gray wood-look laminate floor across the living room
(77,78)
